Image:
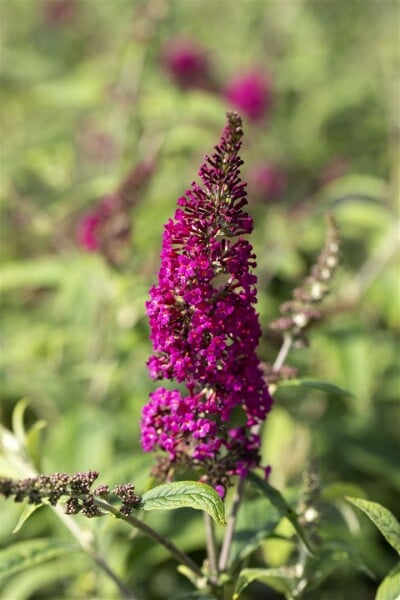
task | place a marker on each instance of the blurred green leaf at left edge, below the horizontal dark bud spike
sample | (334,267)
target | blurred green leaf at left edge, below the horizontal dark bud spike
(27,554)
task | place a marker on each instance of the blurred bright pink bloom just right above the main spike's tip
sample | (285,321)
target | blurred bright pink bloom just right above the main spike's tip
(250,93)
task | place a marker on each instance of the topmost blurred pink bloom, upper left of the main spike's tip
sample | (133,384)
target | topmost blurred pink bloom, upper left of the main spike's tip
(186,61)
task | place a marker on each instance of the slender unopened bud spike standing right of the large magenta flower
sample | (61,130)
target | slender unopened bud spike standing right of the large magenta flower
(300,312)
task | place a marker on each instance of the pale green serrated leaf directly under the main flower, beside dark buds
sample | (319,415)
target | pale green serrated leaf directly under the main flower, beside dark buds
(185,494)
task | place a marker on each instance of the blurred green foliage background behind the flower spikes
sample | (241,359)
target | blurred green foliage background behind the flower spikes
(75,332)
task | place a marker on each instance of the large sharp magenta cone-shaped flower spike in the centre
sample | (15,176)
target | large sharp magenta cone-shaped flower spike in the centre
(205,329)
